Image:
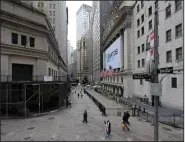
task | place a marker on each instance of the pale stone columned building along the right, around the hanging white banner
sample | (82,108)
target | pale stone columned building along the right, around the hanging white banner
(134,32)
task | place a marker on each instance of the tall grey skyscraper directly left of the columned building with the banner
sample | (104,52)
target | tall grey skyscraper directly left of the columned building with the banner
(100,10)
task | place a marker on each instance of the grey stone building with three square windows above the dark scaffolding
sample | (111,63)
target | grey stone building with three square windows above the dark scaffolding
(29,49)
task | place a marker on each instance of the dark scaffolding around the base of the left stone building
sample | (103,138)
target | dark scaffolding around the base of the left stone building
(22,99)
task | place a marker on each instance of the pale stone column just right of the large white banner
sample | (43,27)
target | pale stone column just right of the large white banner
(122,49)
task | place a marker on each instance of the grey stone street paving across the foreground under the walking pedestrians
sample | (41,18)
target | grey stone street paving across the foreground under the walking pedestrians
(66,125)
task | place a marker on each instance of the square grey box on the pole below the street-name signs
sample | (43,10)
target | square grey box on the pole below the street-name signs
(156,89)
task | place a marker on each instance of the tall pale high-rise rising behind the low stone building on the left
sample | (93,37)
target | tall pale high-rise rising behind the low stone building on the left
(57,13)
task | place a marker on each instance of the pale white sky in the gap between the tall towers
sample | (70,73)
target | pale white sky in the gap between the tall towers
(73,7)
